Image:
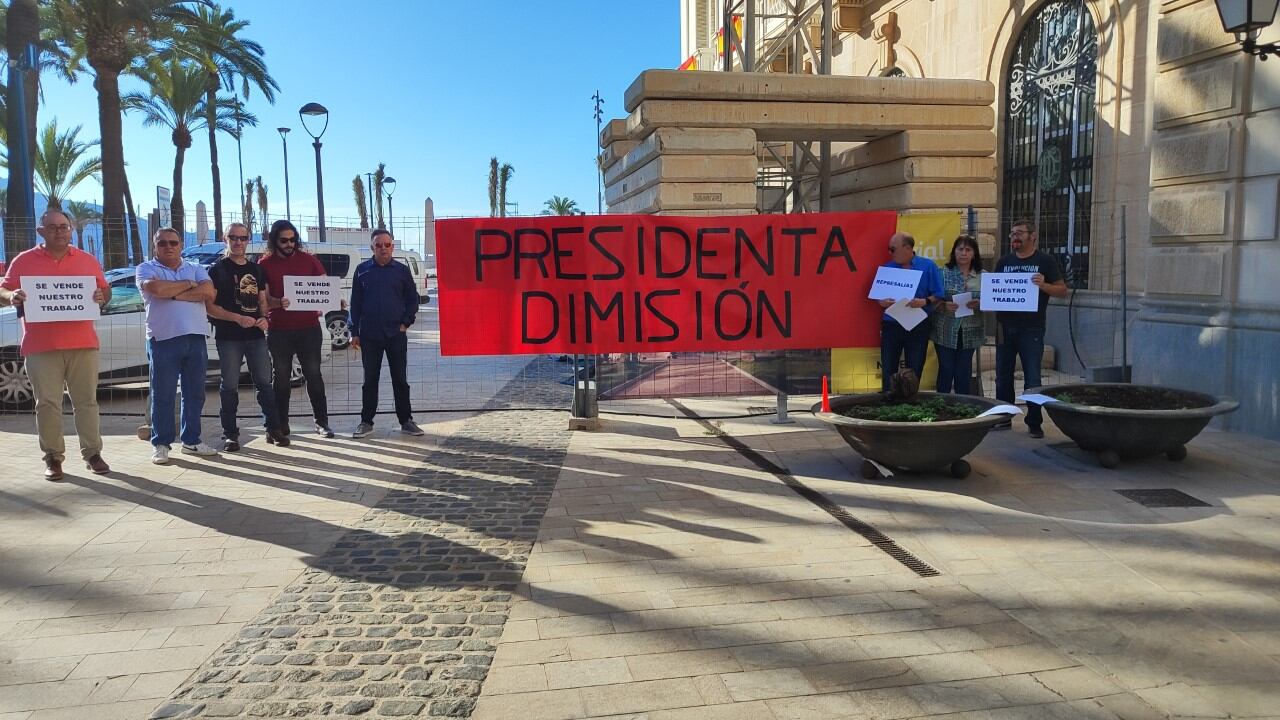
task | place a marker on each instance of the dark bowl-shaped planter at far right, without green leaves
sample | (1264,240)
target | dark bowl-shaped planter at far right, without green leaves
(1118,434)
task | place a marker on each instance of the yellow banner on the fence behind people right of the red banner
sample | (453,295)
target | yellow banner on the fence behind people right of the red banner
(857,370)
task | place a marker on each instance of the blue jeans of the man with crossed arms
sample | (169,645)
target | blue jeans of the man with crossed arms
(182,359)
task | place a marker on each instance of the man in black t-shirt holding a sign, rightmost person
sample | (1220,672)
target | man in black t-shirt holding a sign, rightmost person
(1022,335)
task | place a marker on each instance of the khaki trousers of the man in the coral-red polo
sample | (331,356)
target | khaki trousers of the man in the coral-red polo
(51,373)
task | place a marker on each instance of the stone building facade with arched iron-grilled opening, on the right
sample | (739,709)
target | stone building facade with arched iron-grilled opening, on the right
(1144,143)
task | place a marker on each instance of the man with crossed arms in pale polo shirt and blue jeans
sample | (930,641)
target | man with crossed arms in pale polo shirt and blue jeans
(175,293)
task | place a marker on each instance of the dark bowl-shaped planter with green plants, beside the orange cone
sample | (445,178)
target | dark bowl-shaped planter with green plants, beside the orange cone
(911,446)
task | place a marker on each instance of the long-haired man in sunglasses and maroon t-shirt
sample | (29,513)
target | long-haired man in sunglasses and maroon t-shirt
(292,332)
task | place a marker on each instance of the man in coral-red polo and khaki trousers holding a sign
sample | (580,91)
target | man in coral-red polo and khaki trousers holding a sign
(62,354)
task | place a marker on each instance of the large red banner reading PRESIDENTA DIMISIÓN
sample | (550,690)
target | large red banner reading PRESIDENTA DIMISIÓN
(647,284)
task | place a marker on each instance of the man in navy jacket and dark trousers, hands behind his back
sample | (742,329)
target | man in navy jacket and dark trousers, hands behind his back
(383,306)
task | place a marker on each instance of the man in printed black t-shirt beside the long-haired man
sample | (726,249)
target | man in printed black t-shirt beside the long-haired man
(239,313)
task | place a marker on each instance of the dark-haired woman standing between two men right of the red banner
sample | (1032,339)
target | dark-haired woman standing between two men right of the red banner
(957,339)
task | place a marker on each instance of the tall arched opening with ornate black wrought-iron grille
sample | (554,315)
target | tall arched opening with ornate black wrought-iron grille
(1049,134)
